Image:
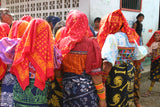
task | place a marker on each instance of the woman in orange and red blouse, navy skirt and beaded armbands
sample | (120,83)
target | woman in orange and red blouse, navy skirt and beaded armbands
(82,81)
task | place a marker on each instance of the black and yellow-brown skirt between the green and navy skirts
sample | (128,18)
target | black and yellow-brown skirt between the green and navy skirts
(55,95)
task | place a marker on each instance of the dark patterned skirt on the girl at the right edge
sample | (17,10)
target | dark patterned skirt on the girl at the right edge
(155,71)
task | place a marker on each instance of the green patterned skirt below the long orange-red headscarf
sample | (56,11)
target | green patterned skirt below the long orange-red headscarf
(31,97)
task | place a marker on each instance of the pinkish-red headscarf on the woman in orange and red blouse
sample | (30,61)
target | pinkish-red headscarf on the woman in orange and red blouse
(77,27)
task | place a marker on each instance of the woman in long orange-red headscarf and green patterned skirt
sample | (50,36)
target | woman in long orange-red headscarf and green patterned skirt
(33,65)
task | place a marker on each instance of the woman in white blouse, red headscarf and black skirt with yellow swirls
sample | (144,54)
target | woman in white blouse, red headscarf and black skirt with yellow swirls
(119,49)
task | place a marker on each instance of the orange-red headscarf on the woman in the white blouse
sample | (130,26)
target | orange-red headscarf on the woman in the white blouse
(111,24)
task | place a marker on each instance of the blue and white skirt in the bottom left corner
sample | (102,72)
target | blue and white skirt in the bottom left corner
(7,90)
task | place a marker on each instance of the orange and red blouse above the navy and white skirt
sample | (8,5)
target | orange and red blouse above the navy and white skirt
(85,56)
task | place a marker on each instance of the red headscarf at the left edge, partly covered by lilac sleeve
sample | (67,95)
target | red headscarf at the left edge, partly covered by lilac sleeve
(4,30)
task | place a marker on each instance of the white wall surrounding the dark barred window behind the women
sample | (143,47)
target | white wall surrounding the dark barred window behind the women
(99,8)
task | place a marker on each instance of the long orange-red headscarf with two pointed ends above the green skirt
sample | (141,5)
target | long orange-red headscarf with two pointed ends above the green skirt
(36,47)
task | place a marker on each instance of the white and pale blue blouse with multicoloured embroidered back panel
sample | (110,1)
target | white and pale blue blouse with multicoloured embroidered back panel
(118,50)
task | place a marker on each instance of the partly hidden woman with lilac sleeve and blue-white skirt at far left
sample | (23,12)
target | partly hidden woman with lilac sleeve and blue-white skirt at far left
(17,30)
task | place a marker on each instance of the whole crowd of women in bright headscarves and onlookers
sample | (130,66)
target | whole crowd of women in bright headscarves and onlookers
(52,63)
